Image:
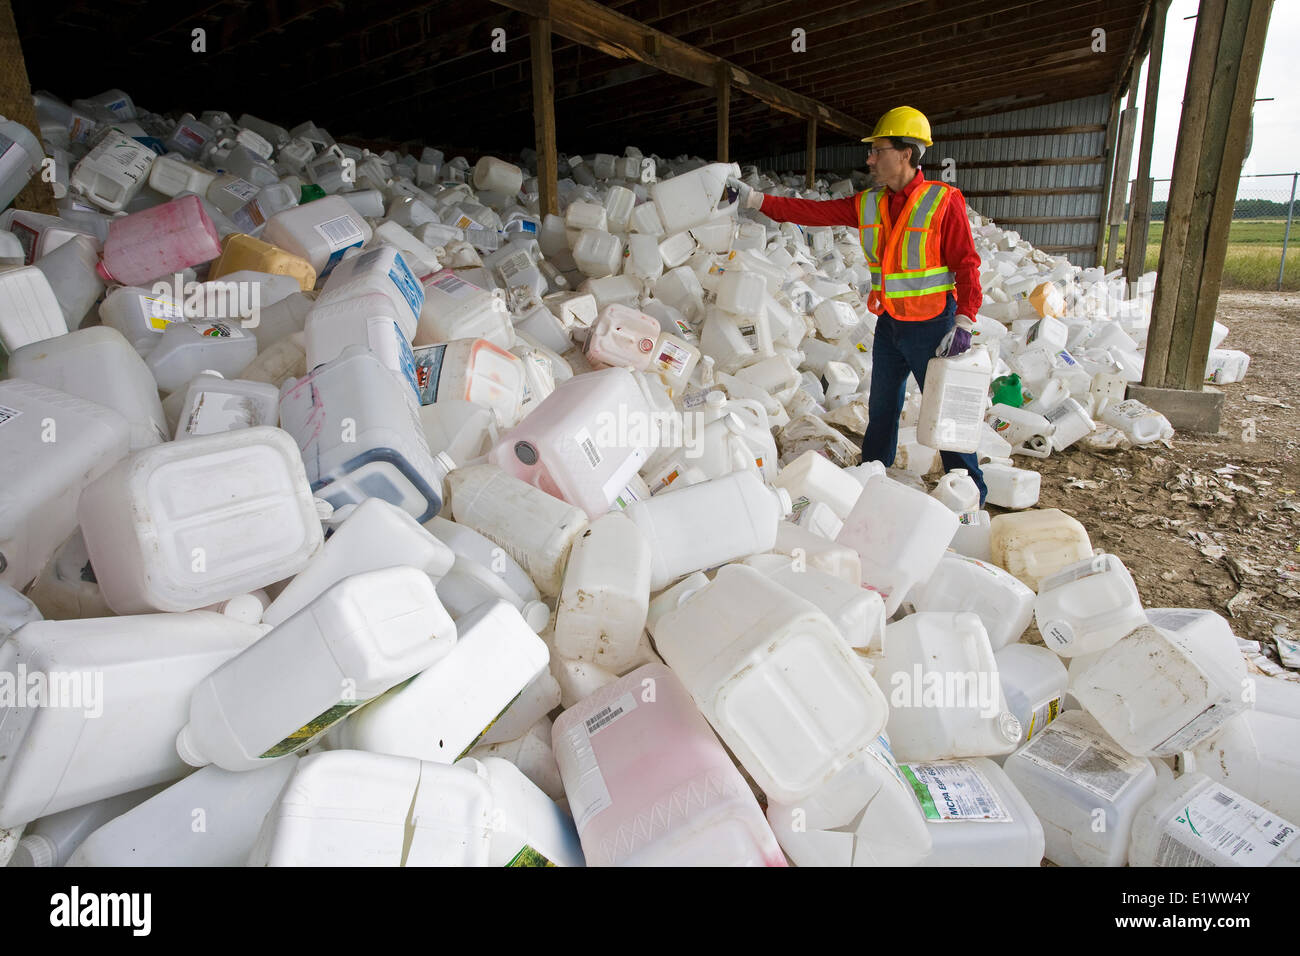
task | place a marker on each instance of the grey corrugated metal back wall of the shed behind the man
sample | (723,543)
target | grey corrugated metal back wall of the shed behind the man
(956,155)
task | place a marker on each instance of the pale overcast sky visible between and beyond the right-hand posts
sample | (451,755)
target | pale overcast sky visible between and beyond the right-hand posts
(1277,124)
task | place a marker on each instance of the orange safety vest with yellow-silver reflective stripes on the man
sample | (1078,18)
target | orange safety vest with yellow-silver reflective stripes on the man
(909,279)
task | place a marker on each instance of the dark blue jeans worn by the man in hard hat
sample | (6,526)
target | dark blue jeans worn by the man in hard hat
(902,348)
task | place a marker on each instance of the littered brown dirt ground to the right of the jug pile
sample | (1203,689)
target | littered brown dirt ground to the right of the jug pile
(1215,521)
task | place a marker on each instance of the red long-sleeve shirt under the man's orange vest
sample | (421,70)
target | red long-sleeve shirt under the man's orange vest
(957,246)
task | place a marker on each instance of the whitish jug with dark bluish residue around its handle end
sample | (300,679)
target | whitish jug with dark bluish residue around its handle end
(359,432)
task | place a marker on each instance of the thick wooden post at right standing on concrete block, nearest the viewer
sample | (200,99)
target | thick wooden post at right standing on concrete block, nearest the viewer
(1221,81)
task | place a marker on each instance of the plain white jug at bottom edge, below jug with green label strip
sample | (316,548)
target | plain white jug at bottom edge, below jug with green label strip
(162,830)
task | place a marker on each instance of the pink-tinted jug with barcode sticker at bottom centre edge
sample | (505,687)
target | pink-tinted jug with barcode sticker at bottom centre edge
(639,752)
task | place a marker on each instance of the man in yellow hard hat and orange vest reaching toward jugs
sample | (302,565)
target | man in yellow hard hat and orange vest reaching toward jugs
(925,271)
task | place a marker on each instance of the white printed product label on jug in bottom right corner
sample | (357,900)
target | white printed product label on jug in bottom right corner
(1219,828)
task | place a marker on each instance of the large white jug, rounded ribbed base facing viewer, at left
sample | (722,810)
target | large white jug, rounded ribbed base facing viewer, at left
(187,525)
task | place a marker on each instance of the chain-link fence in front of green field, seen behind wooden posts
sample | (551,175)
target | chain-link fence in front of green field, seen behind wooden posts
(1260,239)
